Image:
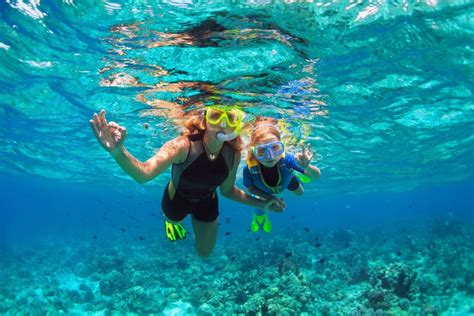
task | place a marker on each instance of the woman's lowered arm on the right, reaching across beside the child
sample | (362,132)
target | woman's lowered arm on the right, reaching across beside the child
(229,190)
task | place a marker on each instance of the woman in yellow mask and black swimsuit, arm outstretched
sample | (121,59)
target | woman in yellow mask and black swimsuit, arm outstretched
(204,157)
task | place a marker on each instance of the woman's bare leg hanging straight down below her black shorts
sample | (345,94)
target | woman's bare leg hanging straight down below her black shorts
(206,235)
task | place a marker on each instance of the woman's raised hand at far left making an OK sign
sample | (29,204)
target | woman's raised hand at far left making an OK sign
(110,135)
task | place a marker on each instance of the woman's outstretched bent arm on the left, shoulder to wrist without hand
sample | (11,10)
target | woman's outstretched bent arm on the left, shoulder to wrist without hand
(173,151)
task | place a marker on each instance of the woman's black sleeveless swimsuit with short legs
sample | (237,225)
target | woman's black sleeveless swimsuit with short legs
(196,180)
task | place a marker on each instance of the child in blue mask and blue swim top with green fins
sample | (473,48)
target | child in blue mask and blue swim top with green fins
(269,168)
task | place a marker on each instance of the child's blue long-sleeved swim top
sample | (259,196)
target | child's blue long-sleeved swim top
(275,179)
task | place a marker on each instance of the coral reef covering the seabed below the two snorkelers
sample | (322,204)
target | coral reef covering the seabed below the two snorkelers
(341,273)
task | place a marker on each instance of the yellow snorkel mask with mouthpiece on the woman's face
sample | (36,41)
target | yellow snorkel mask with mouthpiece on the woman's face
(225,116)
